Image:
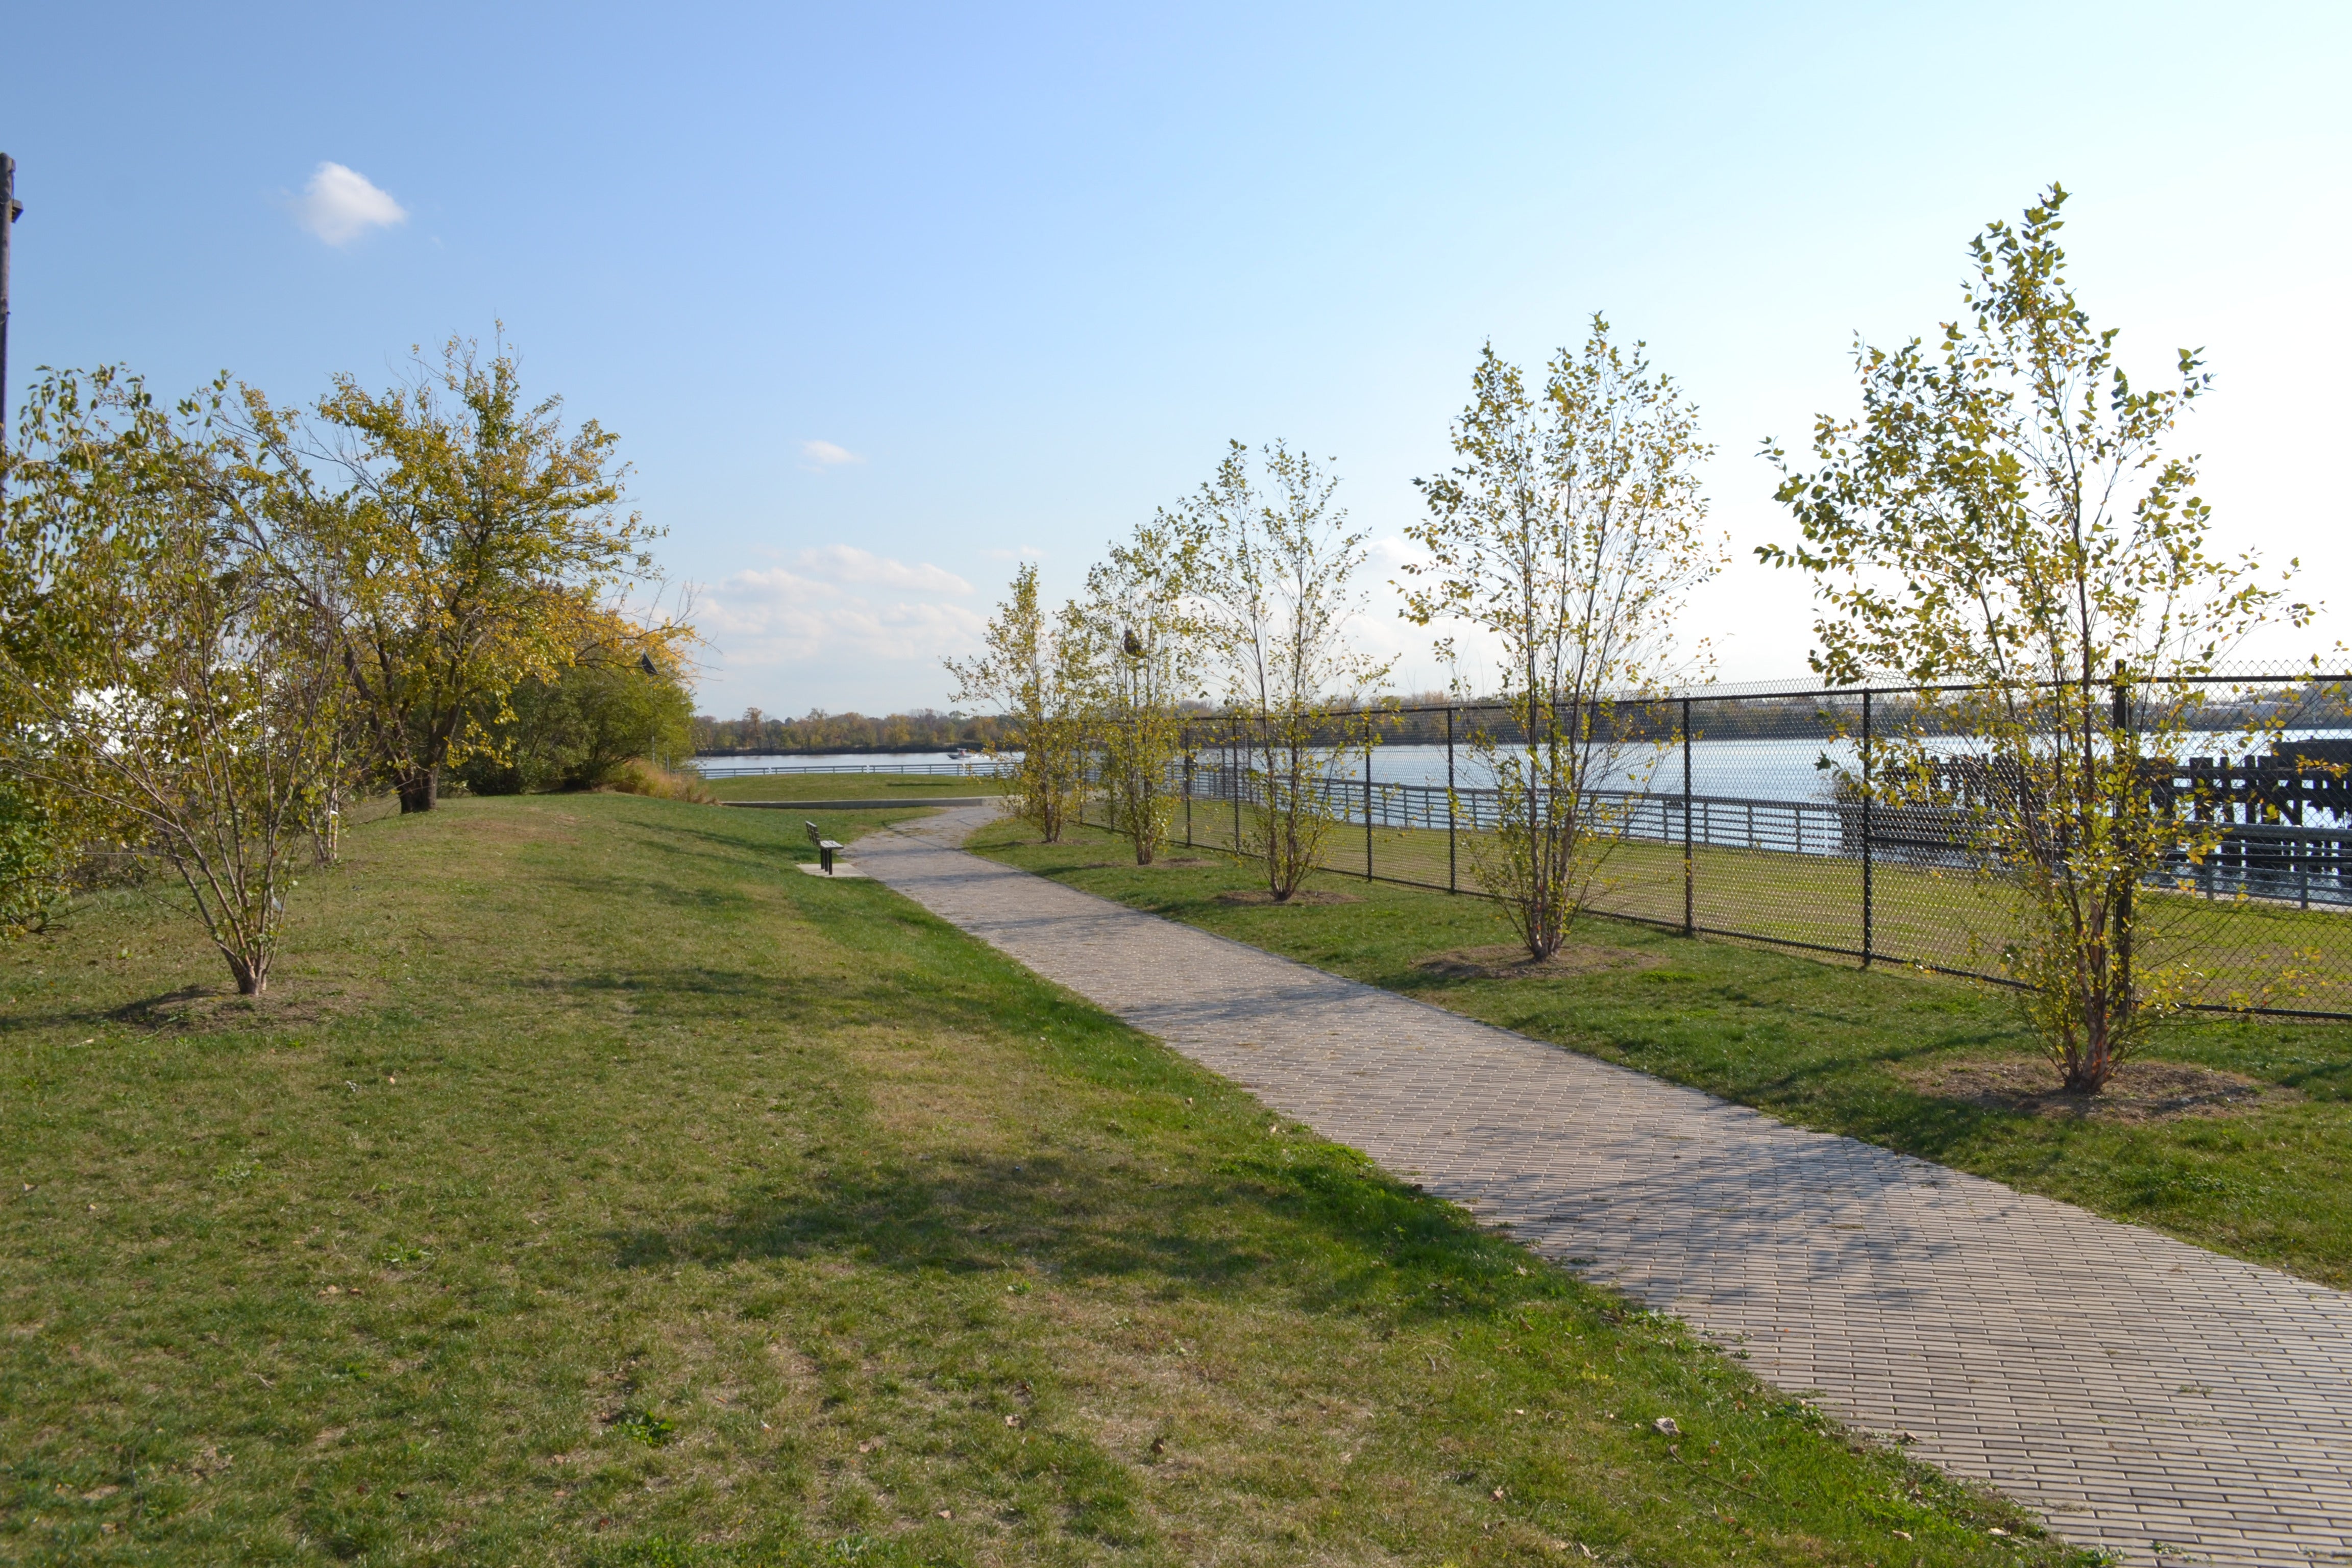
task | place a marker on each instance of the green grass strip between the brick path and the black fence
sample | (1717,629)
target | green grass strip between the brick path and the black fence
(1833,1047)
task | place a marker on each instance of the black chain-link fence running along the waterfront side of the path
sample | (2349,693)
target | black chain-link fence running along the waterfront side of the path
(1749,815)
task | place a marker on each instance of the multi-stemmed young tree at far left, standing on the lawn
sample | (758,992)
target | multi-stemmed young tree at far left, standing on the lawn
(154,671)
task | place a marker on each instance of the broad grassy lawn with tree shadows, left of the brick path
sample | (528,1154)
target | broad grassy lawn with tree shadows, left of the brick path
(596,1188)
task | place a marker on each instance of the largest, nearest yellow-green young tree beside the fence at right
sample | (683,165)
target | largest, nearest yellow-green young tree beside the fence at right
(2003,516)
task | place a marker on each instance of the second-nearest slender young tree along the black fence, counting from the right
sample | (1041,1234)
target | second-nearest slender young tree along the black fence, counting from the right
(1570,535)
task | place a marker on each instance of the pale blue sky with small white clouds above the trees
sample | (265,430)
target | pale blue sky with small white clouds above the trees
(883,300)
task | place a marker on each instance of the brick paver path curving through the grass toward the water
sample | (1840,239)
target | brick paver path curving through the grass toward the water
(2130,1388)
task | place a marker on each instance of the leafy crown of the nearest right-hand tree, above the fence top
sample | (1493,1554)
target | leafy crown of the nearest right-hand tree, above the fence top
(2003,509)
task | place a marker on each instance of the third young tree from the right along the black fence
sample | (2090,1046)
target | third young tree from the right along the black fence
(1276,598)
